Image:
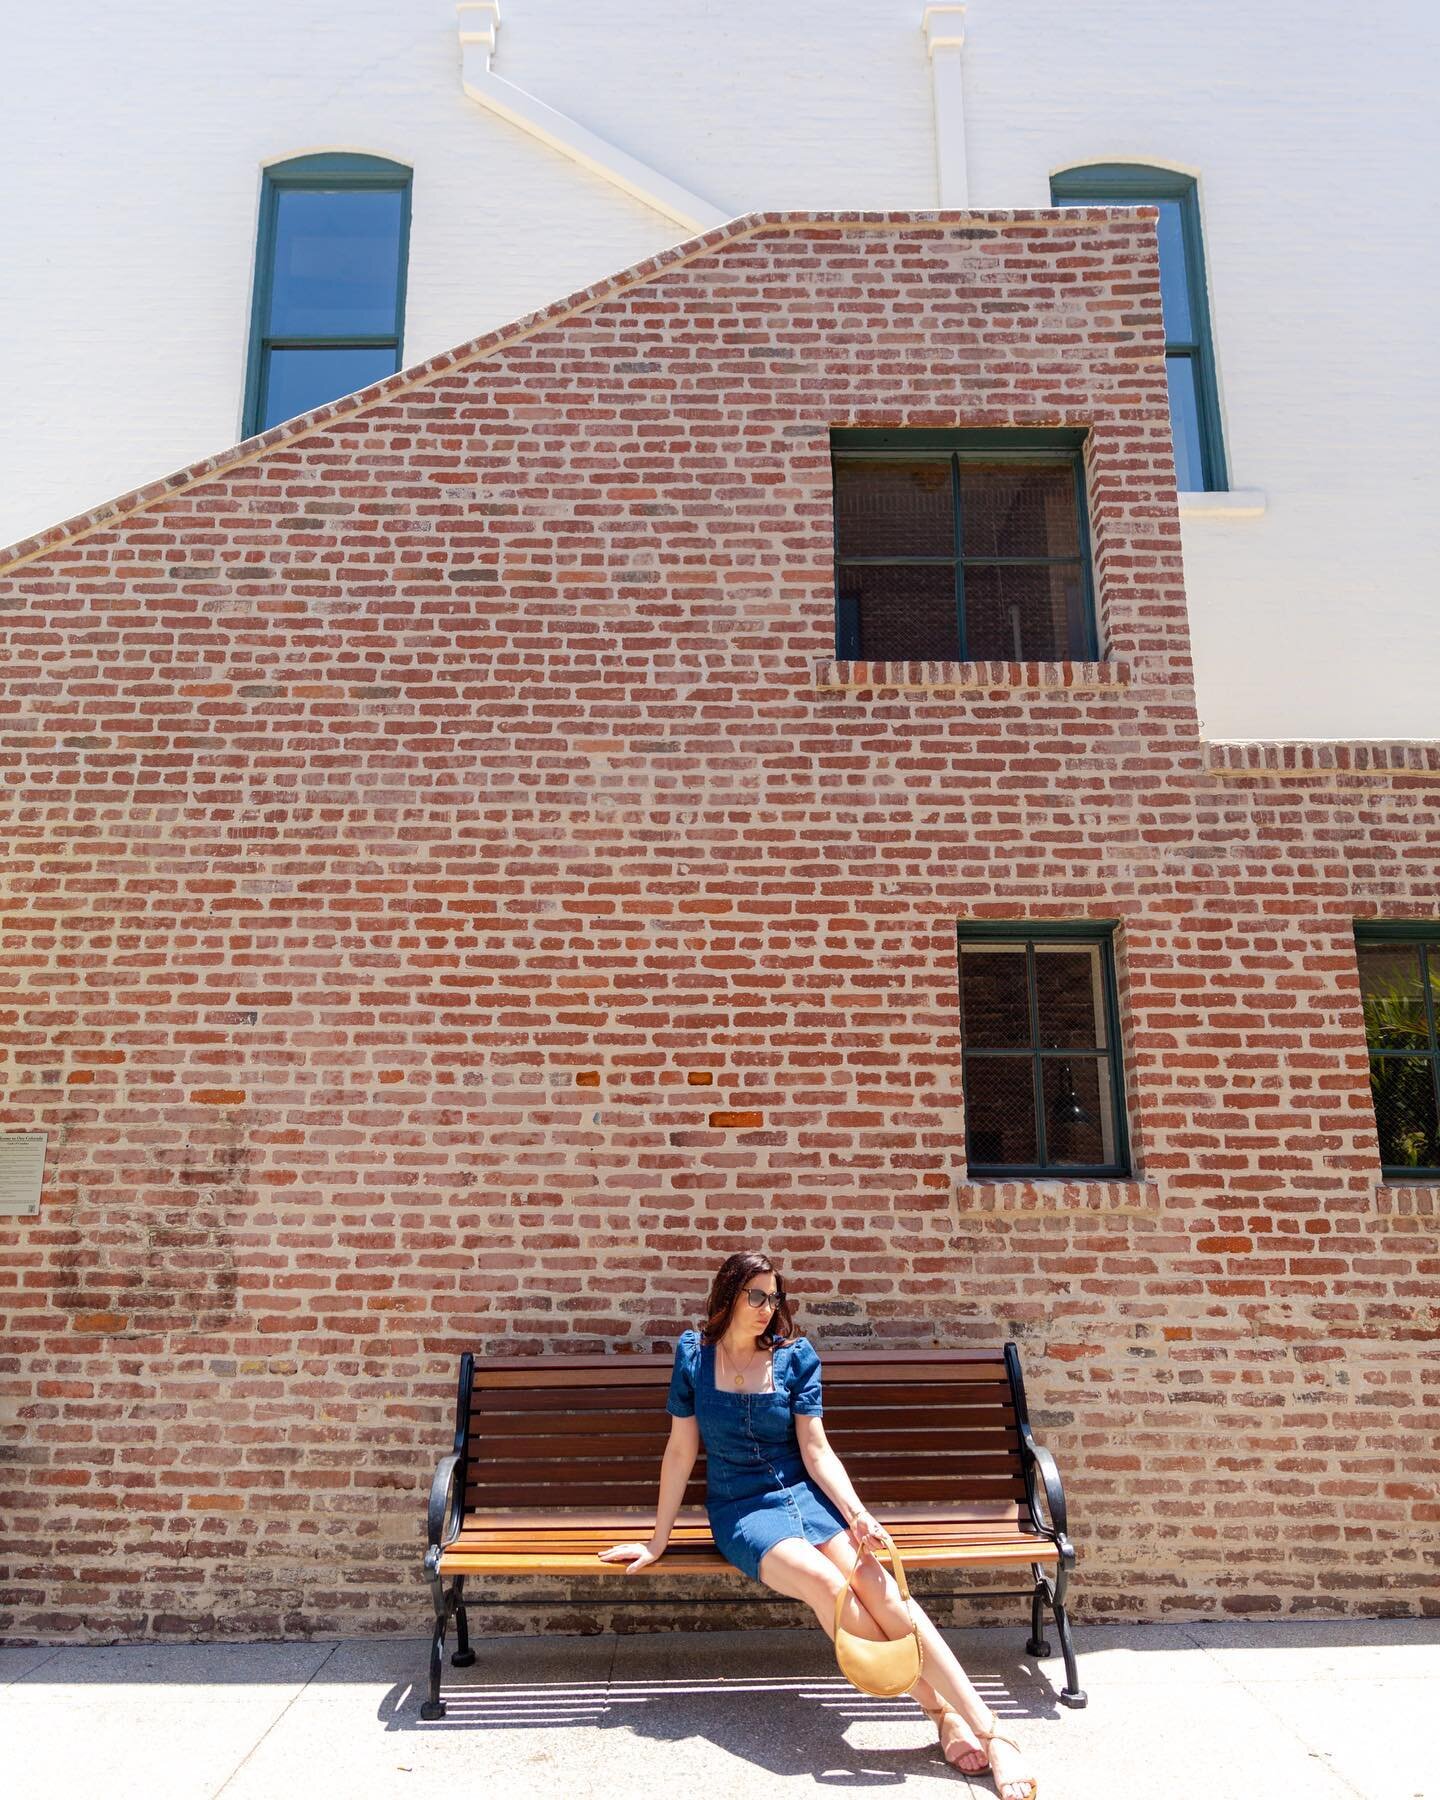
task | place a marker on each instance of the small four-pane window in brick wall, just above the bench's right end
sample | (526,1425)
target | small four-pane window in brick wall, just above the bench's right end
(1041,1052)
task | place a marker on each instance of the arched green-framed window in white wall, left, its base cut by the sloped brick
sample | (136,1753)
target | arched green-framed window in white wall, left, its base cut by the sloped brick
(328,309)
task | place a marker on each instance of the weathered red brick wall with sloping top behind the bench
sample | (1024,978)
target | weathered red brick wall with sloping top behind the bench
(453,899)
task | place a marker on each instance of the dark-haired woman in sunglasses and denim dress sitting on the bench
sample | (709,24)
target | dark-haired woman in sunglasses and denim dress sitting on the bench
(782,1507)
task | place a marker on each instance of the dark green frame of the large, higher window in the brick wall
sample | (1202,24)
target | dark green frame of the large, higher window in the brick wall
(1030,447)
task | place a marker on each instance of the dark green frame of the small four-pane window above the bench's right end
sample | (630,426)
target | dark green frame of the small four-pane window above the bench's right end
(1029,933)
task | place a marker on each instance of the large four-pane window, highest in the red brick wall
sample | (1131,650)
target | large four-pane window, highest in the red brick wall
(957,546)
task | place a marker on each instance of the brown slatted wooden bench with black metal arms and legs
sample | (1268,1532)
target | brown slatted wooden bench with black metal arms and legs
(561,1457)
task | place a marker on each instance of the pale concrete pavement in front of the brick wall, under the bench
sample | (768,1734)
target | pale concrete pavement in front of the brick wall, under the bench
(1178,1713)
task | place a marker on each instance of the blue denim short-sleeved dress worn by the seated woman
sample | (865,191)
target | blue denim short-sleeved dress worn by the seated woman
(757,1488)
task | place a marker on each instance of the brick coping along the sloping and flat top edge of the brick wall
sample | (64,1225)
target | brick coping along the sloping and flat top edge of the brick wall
(251,449)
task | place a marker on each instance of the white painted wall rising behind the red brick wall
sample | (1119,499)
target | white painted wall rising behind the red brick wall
(138,138)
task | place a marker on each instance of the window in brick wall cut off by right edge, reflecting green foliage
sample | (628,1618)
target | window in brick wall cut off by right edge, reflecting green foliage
(1401,996)
